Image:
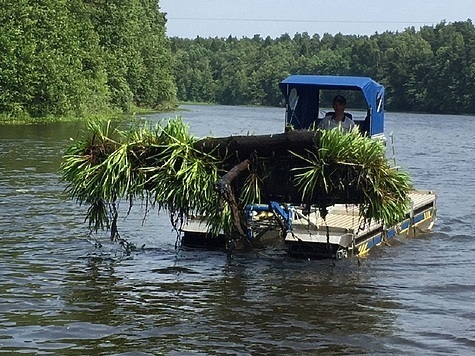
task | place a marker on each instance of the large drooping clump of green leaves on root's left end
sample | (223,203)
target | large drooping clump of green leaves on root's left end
(155,164)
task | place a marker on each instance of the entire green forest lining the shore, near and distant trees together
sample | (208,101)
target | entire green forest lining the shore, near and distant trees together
(82,57)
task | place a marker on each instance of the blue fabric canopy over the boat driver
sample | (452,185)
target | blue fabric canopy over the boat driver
(373,93)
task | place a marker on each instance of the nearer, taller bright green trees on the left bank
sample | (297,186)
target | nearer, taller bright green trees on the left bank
(82,57)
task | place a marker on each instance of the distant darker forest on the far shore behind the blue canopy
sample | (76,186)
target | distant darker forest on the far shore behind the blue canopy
(429,70)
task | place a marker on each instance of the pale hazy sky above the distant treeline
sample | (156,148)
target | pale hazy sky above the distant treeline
(245,18)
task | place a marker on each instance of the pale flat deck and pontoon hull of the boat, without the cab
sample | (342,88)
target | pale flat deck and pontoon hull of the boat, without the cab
(341,232)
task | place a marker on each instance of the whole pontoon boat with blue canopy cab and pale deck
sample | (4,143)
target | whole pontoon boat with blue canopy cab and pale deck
(340,233)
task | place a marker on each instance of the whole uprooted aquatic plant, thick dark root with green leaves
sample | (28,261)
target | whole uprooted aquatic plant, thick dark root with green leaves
(215,178)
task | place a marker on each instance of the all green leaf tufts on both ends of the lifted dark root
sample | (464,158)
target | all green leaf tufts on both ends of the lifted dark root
(159,165)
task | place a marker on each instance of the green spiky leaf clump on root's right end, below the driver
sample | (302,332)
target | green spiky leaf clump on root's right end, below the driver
(351,162)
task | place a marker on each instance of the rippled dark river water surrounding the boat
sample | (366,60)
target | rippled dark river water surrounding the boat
(62,293)
